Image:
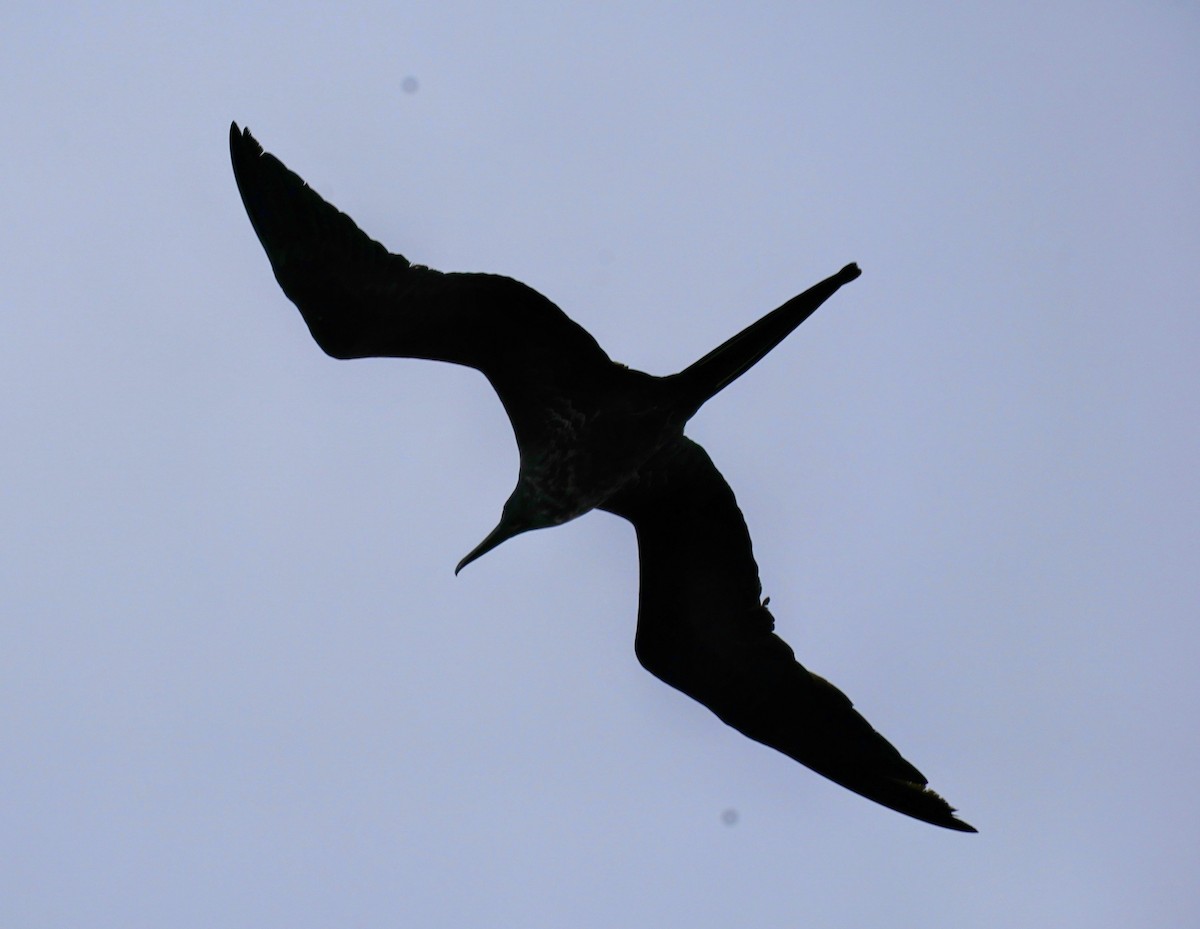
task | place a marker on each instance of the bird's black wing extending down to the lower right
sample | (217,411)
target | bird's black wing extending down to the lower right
(703,630)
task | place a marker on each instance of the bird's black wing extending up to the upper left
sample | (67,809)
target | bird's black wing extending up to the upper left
(359,301)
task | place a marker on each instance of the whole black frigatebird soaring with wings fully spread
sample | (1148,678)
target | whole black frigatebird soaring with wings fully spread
(593,434)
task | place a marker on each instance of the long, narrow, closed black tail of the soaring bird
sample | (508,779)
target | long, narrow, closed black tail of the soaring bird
(727,363)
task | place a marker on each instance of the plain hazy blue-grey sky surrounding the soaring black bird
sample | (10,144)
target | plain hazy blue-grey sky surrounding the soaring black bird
(239,682)
